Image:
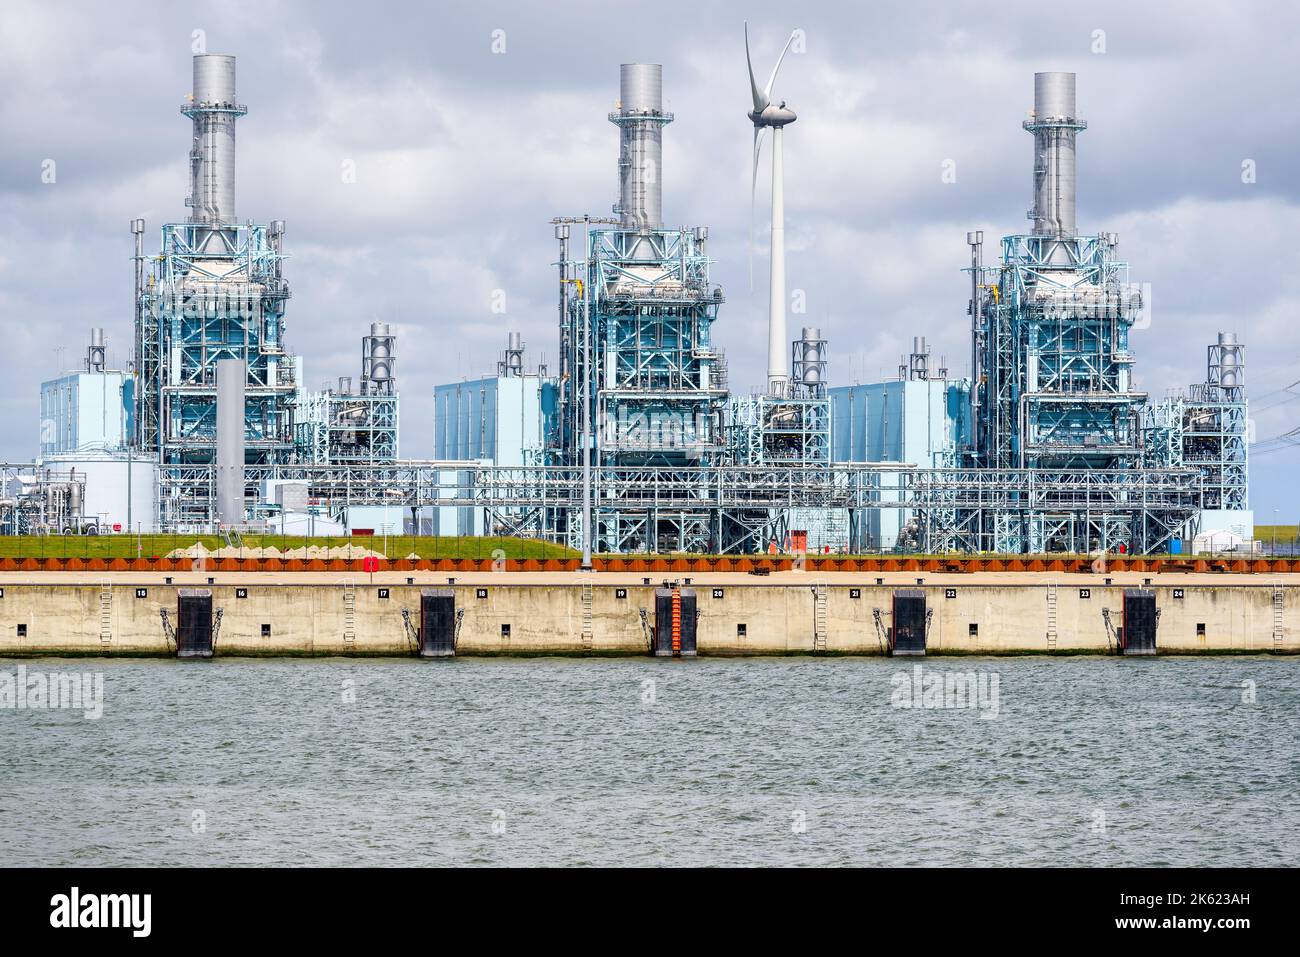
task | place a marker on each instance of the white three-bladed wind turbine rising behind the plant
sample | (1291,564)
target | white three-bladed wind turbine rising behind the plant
(775,118)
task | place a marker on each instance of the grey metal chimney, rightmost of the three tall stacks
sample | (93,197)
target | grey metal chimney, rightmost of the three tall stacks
(1055,127)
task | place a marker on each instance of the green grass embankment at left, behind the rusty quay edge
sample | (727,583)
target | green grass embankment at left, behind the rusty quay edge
(162,545)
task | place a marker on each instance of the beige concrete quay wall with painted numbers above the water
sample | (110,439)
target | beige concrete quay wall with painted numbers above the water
(592,617)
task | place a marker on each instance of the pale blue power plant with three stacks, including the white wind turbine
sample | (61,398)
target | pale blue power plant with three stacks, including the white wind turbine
(635,440)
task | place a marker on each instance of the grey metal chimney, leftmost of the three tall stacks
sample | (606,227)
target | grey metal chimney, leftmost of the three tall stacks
(214,110)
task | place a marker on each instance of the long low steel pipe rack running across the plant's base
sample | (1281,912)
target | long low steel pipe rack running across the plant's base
(725,509)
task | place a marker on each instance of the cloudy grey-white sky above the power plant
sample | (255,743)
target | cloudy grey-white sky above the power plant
(463,153)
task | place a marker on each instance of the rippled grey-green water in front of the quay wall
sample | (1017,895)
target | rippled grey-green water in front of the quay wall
(785,761)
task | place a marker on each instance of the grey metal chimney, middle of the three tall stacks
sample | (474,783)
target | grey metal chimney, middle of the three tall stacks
(640,120)
